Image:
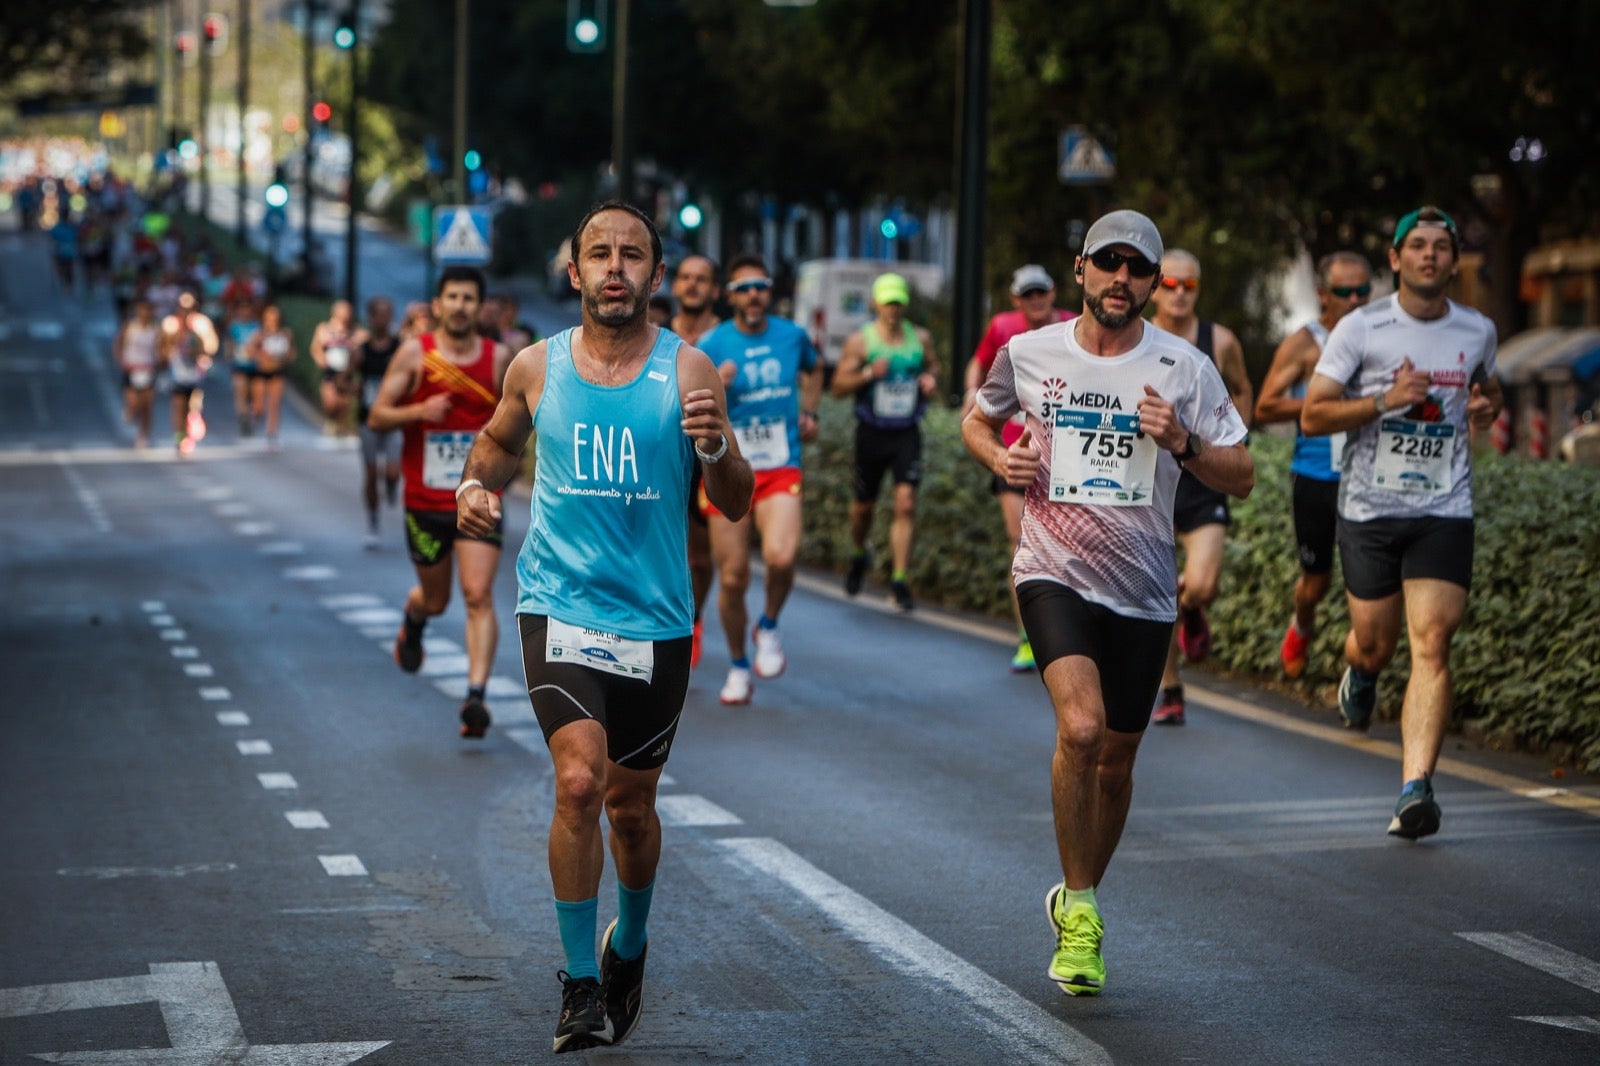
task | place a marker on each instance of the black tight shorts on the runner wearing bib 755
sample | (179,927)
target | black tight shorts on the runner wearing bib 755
(1130,652)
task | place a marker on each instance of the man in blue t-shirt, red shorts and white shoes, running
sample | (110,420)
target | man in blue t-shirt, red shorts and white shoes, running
(774,379)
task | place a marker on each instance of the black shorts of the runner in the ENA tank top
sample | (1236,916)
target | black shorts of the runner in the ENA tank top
(641,718)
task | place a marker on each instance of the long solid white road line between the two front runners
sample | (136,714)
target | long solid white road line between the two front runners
(1025,1030)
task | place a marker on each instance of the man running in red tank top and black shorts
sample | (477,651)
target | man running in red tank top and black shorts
(441,390)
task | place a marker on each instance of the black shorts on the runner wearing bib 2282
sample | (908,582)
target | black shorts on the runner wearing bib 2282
(1383,555)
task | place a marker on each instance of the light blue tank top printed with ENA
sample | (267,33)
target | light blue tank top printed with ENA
(609,542)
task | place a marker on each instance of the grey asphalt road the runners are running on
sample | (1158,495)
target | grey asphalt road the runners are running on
(234,833)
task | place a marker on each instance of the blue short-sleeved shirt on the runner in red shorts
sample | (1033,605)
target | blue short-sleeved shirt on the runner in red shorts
(764,401)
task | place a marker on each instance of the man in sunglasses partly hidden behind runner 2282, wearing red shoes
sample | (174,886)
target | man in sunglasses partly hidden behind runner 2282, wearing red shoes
(1345,283)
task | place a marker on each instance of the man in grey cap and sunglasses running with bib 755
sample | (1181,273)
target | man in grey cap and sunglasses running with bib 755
(1114,409)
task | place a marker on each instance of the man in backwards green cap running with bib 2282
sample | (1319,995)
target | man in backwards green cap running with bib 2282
(1406,379)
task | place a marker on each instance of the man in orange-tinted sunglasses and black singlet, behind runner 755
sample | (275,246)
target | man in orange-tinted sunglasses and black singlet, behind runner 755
(1201,513)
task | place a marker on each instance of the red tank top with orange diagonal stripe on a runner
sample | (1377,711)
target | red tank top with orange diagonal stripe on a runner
(433,454)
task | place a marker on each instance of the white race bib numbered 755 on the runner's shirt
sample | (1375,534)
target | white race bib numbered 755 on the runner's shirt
(1103,460)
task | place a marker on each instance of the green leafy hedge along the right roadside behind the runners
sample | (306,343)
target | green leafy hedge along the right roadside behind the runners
(1524,663)
